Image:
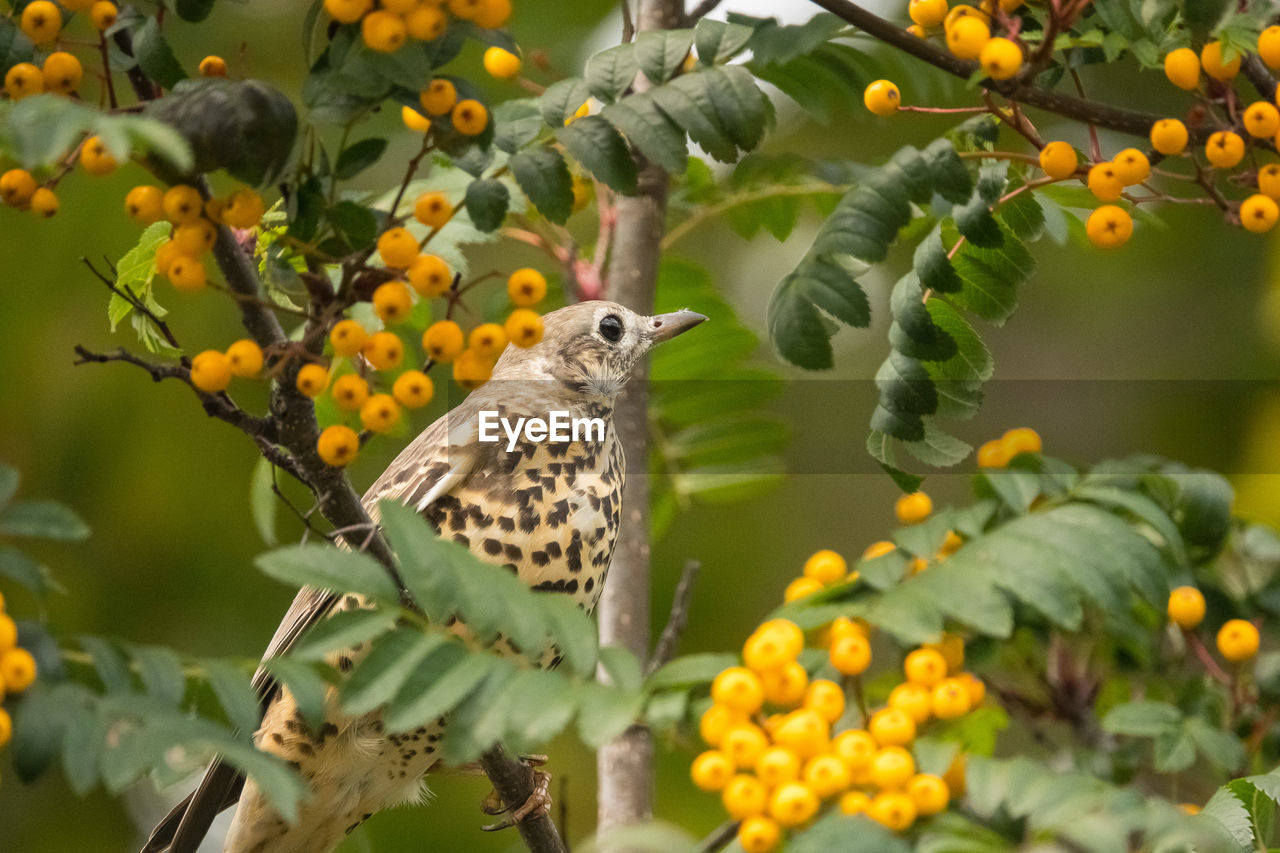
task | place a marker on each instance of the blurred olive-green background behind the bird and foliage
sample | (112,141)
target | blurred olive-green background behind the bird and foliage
(1172,346)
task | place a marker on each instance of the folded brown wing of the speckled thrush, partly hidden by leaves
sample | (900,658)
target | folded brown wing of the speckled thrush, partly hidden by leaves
(437,463)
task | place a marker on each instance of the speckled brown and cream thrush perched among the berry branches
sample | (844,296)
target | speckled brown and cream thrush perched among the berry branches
(548,512)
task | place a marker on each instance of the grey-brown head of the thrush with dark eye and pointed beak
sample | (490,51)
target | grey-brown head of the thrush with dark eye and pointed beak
(592,348)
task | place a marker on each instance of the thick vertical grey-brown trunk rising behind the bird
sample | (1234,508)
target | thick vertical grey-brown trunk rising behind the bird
(625,767)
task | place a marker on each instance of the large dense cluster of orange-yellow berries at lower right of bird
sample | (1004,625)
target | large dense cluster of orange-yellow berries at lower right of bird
(784,740)
